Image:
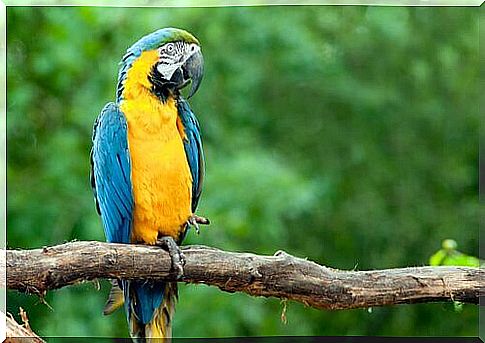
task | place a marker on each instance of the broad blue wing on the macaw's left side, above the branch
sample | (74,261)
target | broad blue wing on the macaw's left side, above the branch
(111,174)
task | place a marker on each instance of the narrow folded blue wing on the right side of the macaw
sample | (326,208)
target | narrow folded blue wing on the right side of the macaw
(193,150)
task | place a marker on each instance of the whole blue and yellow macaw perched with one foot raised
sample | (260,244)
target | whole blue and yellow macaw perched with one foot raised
(147,168)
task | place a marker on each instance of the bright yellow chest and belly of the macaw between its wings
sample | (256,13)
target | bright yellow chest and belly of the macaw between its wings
(160,173)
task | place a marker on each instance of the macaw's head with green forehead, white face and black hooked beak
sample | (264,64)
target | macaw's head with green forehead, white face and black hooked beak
(164,61)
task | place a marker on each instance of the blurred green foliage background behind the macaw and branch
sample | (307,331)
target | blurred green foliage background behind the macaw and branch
(347,135)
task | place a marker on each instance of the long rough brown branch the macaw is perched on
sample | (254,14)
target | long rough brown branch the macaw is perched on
(282,275)
